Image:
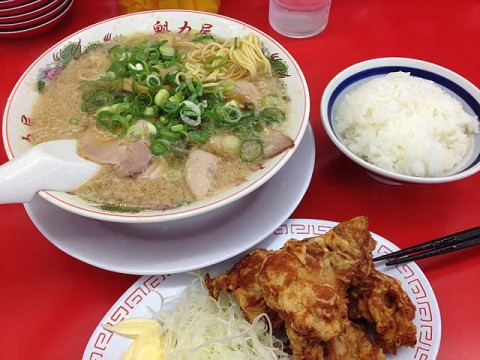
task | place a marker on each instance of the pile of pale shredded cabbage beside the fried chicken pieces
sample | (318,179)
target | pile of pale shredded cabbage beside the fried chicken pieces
(199,327)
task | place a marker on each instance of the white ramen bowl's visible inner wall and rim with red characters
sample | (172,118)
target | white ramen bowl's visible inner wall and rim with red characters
(17,114)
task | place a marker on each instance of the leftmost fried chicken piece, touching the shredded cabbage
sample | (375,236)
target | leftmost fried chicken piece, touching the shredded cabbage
(241,281)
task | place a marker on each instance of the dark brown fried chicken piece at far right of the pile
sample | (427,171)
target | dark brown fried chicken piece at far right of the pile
(381,301)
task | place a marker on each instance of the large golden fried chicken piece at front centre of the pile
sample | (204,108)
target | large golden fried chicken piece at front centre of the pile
(306,295)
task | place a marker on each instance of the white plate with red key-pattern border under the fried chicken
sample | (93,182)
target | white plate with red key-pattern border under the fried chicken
(142,296)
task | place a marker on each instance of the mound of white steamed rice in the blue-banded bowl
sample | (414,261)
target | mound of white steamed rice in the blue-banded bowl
(407,125)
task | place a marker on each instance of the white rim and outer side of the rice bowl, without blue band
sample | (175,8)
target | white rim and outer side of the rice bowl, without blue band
(461,84)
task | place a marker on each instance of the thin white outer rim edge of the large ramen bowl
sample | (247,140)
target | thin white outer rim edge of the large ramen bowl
(240,192)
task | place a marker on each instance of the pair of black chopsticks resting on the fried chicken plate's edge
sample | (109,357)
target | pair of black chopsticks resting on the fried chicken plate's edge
(443,245)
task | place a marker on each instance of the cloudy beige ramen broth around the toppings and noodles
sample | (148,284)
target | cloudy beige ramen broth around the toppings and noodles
(58,114)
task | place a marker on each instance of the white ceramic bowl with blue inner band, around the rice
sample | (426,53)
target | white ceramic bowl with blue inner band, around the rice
(357,74)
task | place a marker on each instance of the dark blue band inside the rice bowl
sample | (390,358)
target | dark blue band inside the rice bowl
(421,73)
